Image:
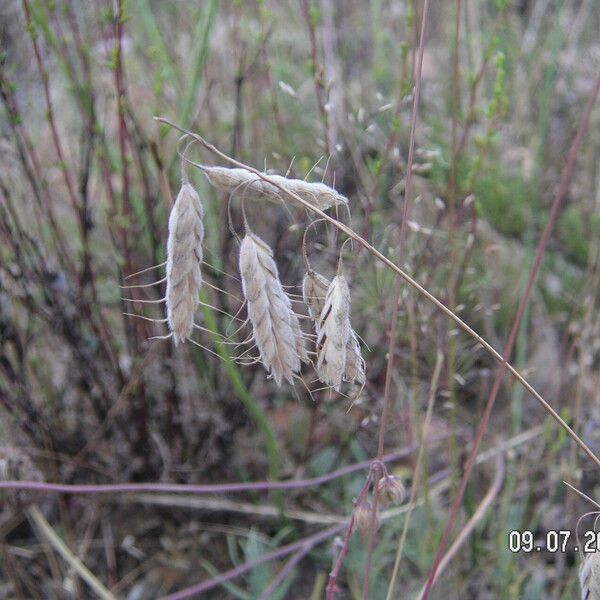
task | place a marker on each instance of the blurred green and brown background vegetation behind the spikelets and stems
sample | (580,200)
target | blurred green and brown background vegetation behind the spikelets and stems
(87,178)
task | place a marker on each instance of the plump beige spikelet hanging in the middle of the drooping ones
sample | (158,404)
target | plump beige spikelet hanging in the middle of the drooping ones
(275,326)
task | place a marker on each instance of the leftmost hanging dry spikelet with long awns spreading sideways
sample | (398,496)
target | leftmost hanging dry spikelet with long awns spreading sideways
(184,257)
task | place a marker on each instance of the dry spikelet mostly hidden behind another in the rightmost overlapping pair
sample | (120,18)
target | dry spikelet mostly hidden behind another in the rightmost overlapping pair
(314,289)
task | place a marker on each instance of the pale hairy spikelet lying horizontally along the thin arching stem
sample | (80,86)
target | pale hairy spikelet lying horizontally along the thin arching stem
(249,185)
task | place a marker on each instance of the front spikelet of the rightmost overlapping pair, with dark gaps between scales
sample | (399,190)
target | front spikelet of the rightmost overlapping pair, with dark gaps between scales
(333,333)
